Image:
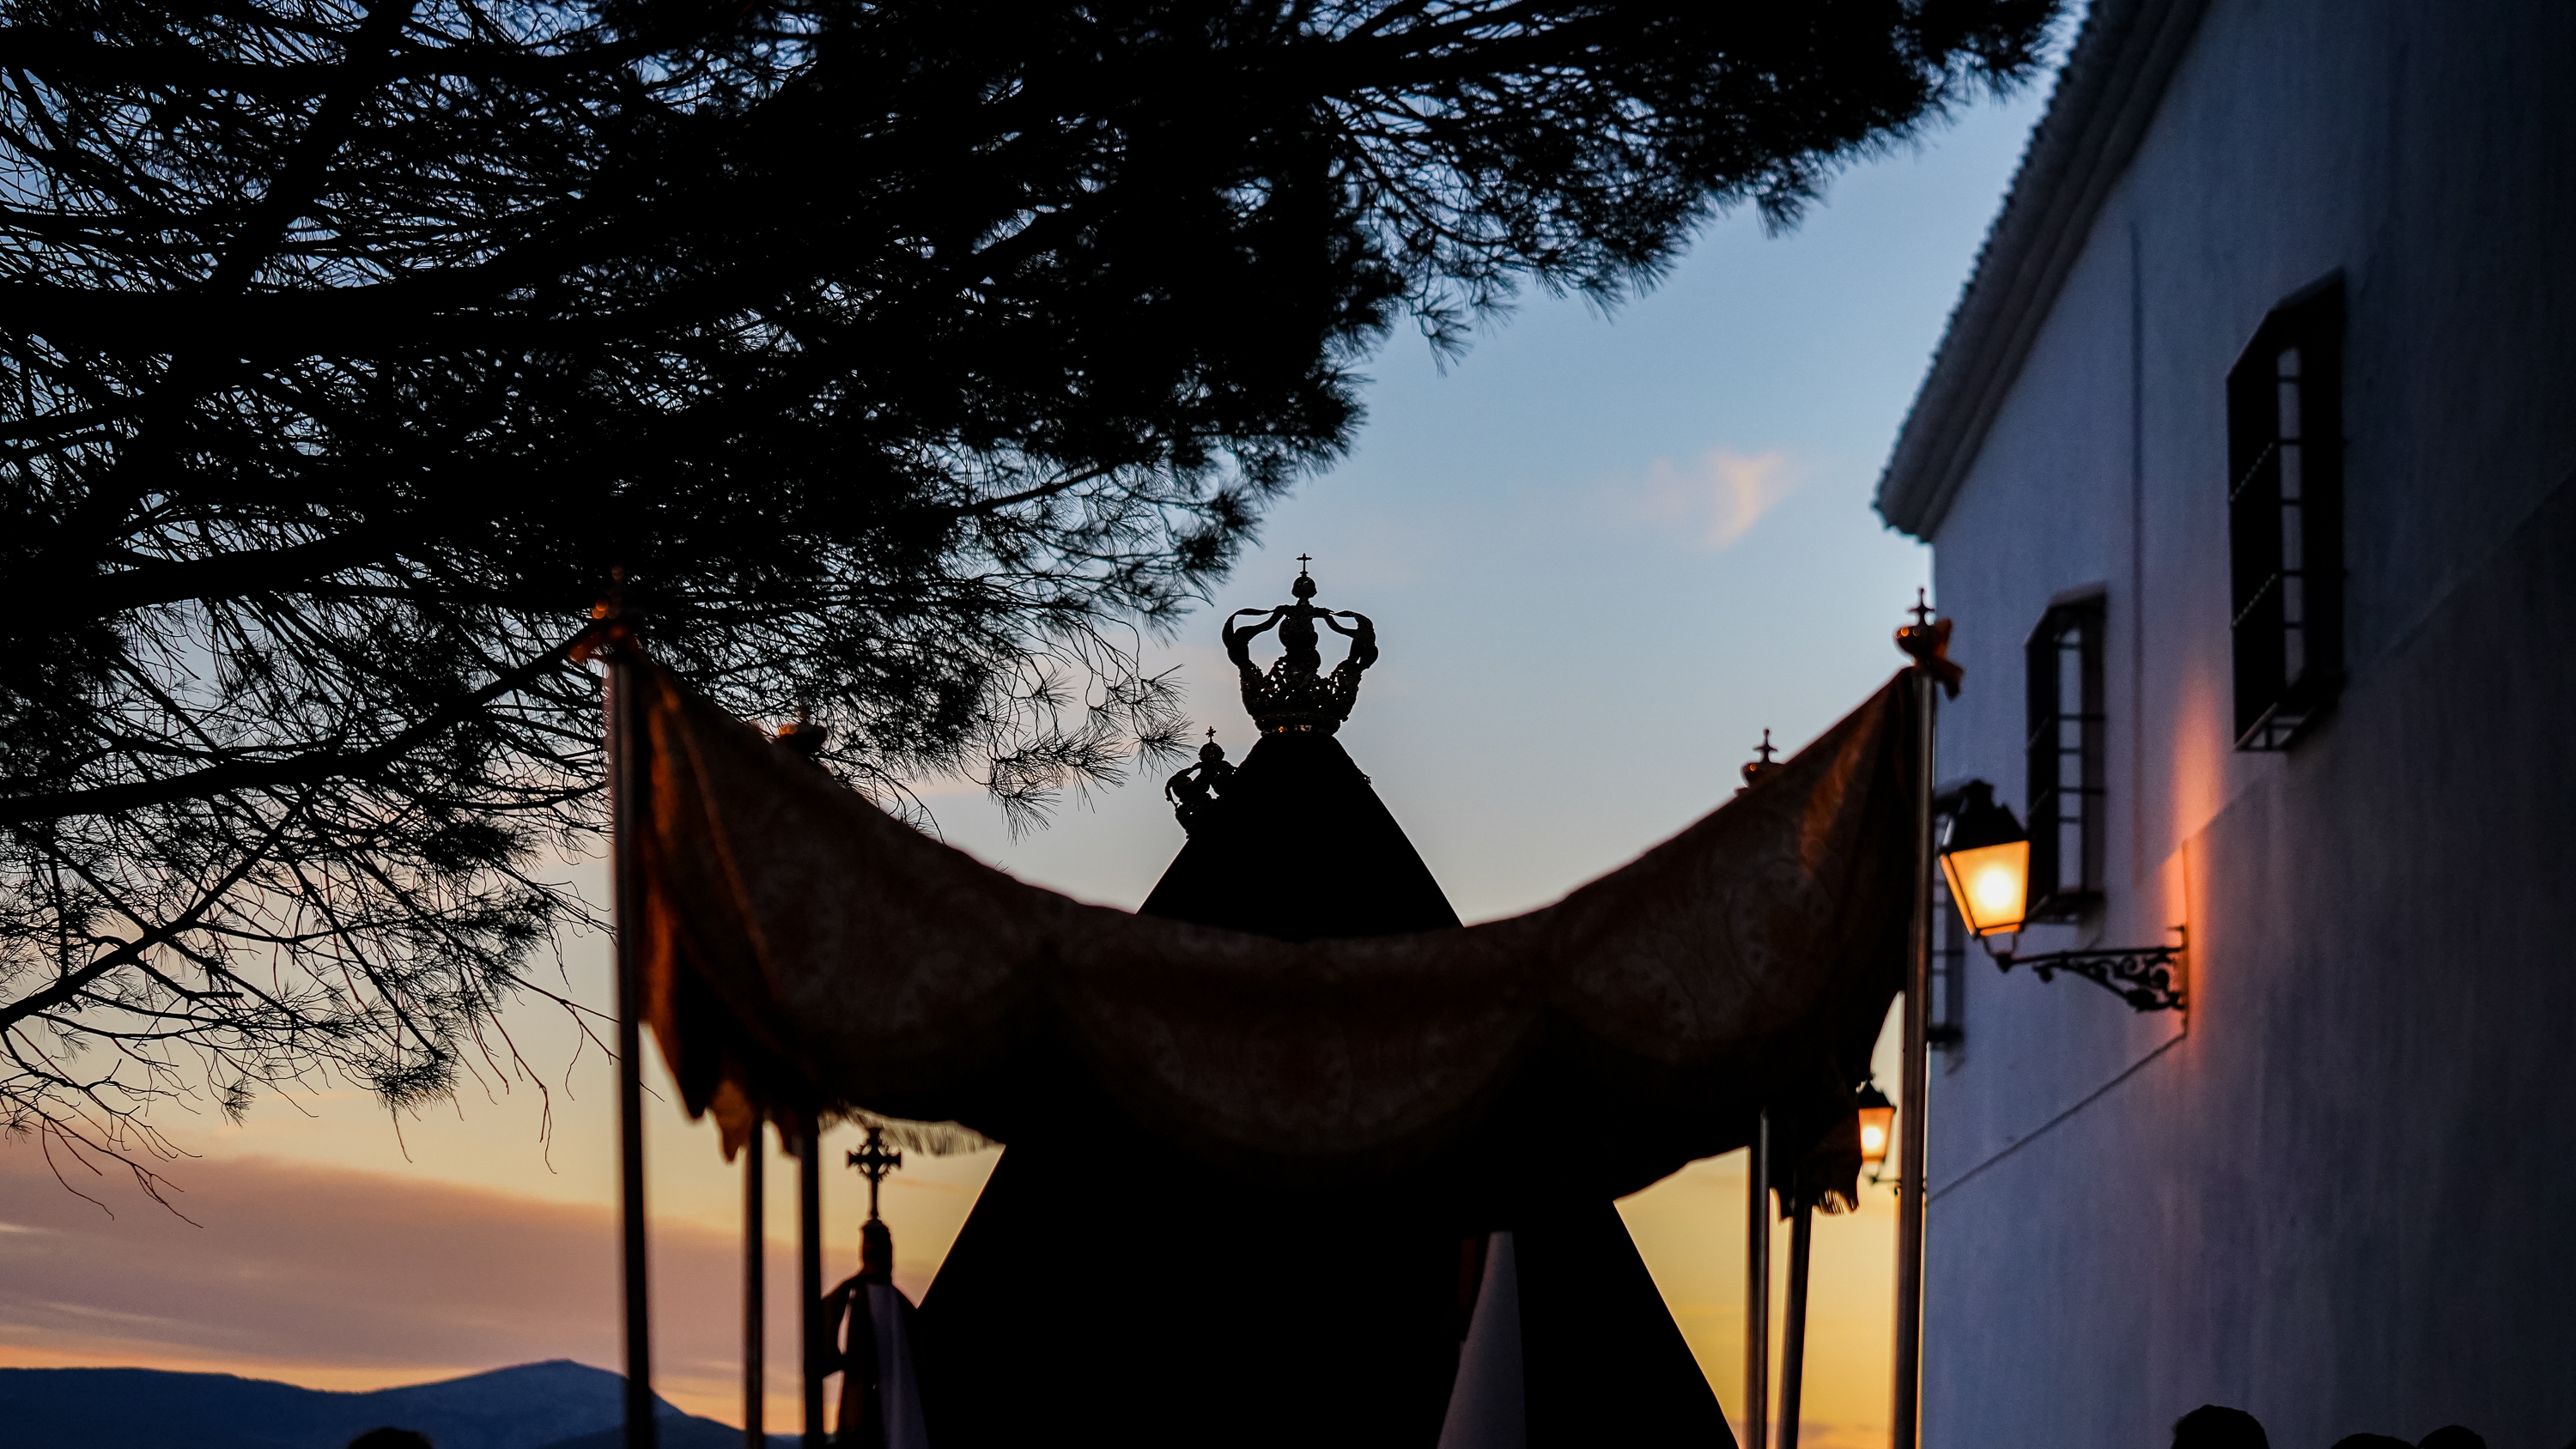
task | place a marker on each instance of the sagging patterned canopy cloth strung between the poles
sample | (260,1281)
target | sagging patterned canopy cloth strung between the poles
(805,951)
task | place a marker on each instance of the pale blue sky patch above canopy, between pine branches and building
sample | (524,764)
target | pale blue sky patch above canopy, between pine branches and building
(1606,549)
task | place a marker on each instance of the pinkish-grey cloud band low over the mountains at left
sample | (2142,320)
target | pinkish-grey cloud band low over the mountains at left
(359,1280)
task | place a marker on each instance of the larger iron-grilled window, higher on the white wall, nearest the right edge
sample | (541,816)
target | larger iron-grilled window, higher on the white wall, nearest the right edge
(2286,519)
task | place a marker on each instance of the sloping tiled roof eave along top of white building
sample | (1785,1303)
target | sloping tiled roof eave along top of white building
(2106,97)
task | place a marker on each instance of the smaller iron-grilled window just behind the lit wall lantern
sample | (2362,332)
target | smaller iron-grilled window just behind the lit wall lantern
(2067,761)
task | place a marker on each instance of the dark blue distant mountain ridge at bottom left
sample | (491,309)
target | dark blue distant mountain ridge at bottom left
(535,1407)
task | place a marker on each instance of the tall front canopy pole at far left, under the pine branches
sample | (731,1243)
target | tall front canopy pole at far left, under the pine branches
(640,1422)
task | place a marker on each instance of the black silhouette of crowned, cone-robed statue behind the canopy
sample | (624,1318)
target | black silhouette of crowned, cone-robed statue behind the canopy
(1117,1288)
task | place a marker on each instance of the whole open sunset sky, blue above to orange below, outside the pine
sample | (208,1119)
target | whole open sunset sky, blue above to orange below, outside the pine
(1604,557)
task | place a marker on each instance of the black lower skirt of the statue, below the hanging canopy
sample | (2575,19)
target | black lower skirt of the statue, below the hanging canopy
(1176,1309)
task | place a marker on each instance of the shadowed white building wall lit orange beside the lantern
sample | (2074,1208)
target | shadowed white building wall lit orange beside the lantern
(2340,1193)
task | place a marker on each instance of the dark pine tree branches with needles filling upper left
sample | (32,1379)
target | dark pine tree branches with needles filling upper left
(908,356)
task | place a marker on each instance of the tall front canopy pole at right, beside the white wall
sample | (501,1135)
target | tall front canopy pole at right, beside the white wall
(1910,1111)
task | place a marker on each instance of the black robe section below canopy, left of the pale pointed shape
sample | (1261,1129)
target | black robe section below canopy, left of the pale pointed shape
(1173,1306)
